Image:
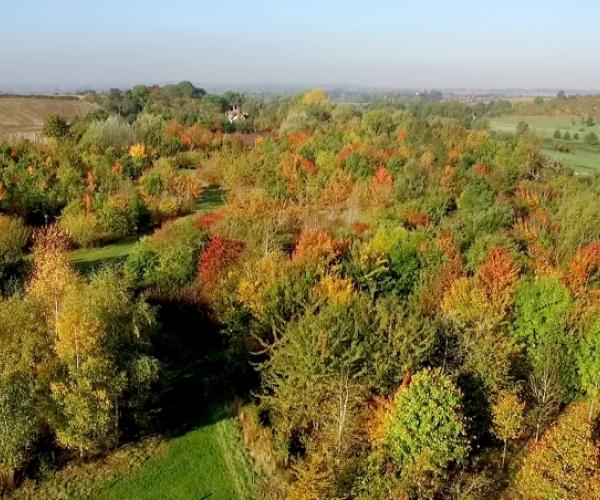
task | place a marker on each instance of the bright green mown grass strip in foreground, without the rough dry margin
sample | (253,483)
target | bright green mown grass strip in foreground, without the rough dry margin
(207,462)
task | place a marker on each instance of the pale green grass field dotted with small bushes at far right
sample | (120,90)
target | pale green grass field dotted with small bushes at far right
(581,157)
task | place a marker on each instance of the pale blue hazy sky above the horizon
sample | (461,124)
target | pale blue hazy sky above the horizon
(380,43)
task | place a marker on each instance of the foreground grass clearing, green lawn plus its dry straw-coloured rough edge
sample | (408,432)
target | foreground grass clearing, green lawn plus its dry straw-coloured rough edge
(207,462)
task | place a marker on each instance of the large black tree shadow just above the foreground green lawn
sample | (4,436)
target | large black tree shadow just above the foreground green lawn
(198,382)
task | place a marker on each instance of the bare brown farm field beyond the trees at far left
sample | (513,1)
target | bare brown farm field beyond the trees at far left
(24,116)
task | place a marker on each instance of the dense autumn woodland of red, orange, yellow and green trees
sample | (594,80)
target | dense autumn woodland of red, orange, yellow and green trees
(392,300)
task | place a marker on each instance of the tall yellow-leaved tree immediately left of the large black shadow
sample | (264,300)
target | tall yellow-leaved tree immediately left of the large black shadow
(98,342)
